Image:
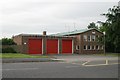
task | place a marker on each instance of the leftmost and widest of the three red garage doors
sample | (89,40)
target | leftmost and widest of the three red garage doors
(35,46)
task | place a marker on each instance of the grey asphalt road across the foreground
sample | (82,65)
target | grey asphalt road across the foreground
(57,70)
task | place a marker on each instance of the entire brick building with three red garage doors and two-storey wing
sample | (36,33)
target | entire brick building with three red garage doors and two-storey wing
(83,41)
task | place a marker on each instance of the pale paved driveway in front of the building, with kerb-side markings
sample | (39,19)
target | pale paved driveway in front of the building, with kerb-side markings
(84,60)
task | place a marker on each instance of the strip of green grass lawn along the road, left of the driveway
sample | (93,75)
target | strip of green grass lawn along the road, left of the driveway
(19,55)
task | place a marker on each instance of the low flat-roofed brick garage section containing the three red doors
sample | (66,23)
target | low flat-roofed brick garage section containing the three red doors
(43,44)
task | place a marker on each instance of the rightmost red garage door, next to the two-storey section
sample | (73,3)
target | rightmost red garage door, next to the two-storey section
(66,46)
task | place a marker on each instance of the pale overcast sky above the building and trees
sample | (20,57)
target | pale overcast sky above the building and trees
(53,16)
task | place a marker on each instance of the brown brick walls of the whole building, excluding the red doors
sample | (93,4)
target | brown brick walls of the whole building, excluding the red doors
(80,44)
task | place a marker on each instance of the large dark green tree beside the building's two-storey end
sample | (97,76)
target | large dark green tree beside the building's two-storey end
(112,28)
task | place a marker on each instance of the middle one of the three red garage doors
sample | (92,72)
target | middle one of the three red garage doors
(52,46)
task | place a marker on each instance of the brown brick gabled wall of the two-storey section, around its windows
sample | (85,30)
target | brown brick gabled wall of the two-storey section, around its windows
(80,42)
